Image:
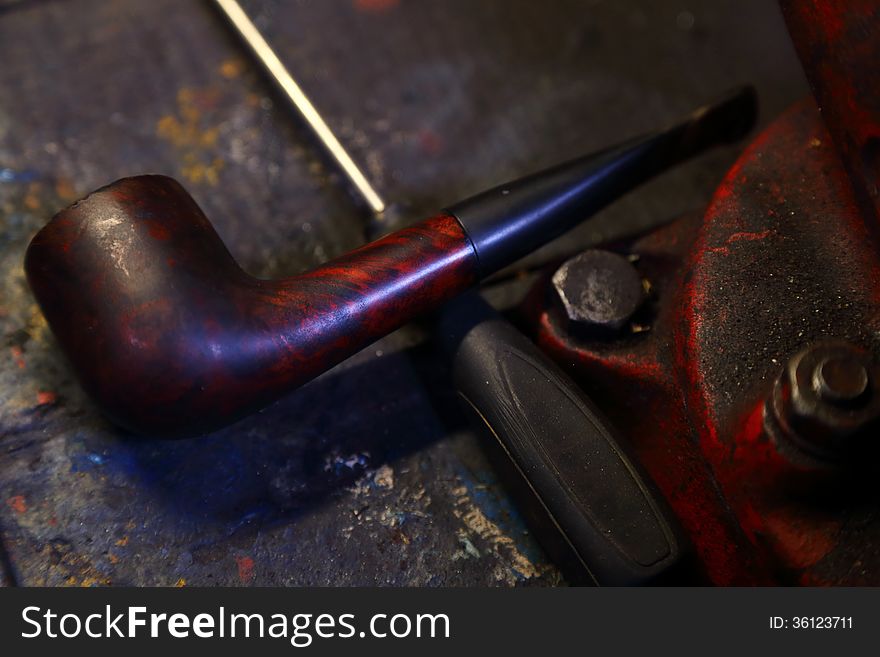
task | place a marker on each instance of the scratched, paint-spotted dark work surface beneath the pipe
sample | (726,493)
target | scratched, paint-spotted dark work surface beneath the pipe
(366,476)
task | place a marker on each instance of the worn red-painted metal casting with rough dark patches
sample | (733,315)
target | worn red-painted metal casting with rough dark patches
(770,467)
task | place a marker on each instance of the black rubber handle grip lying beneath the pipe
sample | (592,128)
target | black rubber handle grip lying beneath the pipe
(608,511)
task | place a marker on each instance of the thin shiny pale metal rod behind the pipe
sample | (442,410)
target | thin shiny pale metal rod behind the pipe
(270,61)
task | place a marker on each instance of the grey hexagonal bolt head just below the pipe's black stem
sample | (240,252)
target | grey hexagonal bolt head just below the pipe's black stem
(599,291)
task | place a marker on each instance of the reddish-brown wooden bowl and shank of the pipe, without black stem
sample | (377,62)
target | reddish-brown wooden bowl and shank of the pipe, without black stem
(171,337)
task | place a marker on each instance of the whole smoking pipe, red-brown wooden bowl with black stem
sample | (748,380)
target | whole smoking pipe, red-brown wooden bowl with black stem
(172,338)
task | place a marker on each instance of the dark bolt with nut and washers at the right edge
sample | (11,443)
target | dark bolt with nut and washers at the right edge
(825,400)
